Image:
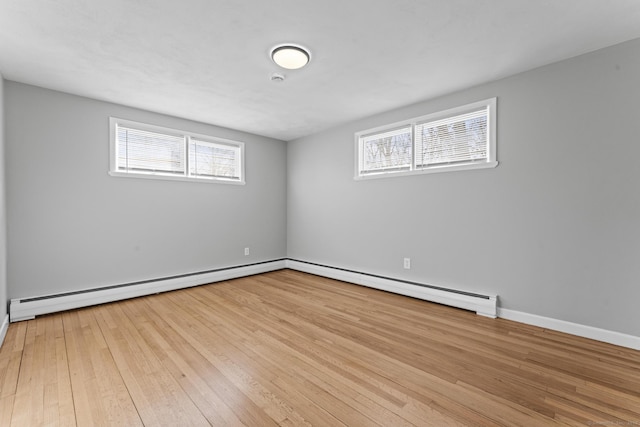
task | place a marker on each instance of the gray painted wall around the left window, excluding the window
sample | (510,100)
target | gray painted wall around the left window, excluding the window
(74,227)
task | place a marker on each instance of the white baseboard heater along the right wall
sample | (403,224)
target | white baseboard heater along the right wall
(482,305)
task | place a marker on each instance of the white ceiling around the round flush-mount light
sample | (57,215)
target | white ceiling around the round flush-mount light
(207,60)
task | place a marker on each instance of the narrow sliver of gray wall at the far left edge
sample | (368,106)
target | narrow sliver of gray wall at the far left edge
(3,217)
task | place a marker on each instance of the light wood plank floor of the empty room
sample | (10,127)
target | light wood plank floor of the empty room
(287,348)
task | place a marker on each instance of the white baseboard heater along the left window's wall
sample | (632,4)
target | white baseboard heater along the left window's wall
(28,308)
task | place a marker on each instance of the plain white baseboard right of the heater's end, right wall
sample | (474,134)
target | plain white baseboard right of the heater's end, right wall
(577,329)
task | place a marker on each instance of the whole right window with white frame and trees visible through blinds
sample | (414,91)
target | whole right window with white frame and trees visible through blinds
(456,139)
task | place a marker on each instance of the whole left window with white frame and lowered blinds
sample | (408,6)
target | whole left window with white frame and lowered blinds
(147,151)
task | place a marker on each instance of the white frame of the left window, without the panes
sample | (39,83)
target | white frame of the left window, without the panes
(186,176)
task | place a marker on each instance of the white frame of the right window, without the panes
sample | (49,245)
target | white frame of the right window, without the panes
(414,169)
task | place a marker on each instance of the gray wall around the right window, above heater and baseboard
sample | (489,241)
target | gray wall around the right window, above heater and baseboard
(554,230)
